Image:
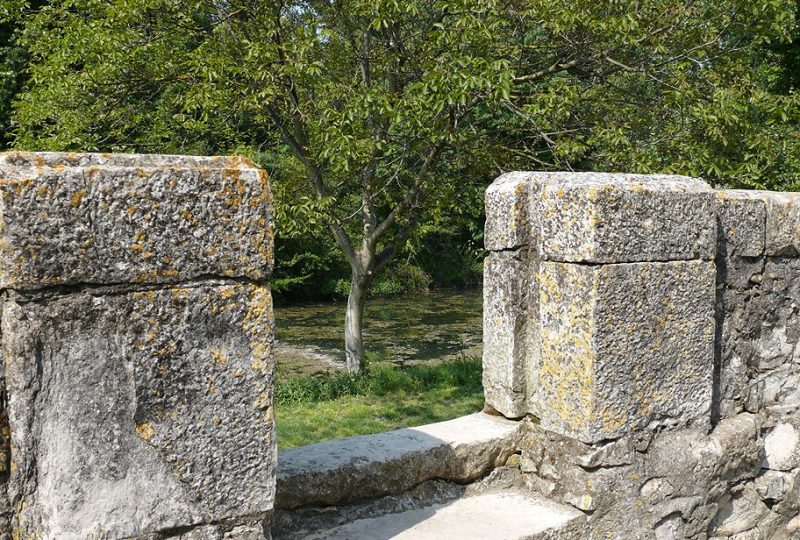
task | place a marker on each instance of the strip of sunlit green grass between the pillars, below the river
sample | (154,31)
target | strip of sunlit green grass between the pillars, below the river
(335,405)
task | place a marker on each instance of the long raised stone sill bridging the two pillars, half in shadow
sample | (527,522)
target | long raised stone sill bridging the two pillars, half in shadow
(342,471)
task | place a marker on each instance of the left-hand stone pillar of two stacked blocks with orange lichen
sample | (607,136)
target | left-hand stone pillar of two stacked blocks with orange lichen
(137,340)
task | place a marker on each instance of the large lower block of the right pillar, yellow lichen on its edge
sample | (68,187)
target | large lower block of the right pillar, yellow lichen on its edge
(624,346)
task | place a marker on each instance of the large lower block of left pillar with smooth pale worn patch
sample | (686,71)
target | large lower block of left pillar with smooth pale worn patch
(138,412)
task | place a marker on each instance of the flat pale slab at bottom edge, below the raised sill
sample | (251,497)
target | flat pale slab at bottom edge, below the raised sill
(506,515)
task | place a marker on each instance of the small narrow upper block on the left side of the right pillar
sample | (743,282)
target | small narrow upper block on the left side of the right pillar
(507,203)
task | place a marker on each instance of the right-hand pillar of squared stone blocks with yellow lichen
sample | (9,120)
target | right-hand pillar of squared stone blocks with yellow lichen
(619,303)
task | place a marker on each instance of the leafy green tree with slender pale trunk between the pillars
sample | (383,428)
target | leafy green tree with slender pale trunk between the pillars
(385,106)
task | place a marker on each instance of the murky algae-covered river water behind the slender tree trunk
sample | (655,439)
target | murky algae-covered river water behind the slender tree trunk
(432,327)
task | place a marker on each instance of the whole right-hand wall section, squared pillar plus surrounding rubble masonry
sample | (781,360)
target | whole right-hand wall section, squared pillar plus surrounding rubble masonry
(647,329)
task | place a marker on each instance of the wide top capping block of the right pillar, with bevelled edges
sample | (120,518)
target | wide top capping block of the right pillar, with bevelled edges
(612,218)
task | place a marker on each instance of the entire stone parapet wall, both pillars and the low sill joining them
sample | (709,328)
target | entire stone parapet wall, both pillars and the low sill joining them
(642,331)
